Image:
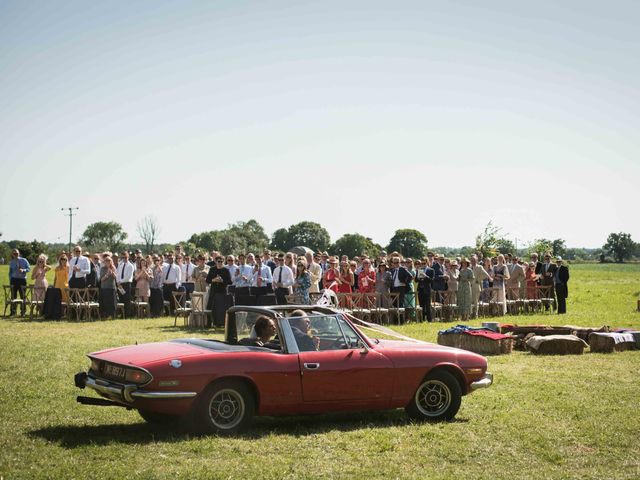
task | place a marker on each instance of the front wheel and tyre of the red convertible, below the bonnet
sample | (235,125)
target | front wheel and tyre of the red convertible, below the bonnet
(437,398)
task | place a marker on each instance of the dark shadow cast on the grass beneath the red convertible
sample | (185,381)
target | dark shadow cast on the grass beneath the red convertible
(143,433)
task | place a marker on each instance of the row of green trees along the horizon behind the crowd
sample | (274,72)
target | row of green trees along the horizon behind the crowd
(250,236)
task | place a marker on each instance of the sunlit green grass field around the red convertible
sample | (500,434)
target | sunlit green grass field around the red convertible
(544,417)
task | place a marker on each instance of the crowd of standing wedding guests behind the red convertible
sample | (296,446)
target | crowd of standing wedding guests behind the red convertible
(153,278)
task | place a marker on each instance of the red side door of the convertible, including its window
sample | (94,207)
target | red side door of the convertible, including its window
(343,369)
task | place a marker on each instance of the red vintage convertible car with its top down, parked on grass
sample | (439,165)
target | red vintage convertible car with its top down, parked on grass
(283,360)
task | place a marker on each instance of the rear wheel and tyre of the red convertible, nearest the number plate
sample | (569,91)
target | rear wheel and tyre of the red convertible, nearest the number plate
(225,408)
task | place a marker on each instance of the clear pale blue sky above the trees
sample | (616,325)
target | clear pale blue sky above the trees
(363,116)
